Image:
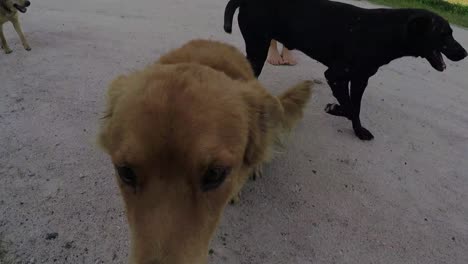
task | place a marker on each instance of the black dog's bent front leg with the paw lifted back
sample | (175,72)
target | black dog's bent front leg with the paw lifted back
(341,93)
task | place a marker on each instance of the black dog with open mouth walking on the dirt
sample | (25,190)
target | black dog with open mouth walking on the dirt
(352,42)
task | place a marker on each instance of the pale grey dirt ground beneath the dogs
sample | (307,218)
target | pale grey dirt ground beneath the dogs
(402,198)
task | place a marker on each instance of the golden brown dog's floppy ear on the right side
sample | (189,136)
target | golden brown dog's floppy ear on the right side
(265,114)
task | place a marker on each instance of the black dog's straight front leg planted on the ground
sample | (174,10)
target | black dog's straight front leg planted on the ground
(357,90)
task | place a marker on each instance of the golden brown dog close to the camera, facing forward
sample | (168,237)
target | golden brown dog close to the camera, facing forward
(184,134)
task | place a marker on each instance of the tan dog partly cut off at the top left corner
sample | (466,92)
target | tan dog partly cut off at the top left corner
(9,12)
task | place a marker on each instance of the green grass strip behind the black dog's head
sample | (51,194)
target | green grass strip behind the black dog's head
(456,13)
